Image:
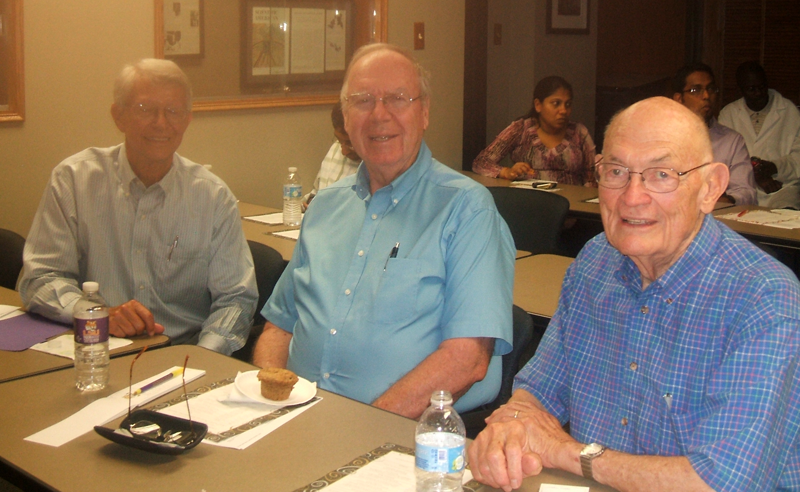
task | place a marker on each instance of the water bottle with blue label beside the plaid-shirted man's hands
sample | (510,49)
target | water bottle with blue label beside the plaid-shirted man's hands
(440,452)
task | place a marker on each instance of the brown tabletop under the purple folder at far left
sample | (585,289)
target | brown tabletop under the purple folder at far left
(17,365)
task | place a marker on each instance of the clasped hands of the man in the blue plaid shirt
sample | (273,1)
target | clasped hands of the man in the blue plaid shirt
(519,440)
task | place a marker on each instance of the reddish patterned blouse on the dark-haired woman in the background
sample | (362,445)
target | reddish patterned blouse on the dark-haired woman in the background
(570,162)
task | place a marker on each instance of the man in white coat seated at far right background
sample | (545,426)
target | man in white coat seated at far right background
(770,125)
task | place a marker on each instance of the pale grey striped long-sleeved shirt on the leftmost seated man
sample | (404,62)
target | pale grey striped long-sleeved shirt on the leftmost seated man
(177,247)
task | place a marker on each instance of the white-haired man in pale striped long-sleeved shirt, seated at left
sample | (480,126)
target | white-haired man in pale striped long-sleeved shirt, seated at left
(161,234)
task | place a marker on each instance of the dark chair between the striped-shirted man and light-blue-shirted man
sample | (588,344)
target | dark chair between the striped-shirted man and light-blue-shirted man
(269,265)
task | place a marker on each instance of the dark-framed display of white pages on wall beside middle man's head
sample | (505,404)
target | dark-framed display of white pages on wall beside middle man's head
(301,45)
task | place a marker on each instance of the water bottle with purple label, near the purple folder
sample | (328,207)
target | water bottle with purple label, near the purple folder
(90,320)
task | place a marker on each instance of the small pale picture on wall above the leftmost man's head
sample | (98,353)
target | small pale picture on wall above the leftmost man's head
(183,29)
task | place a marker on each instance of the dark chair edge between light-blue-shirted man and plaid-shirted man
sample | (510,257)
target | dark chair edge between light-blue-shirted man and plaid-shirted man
(512,362)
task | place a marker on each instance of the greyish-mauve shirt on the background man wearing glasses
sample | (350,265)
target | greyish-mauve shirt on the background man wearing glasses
(729,148)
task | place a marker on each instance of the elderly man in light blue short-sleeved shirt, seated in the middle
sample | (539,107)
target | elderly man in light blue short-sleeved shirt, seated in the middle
(401,282)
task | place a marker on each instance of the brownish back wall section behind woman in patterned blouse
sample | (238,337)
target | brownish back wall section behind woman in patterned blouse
(528,54)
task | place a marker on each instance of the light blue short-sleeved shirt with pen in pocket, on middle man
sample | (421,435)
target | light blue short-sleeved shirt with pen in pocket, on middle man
(362,318)
